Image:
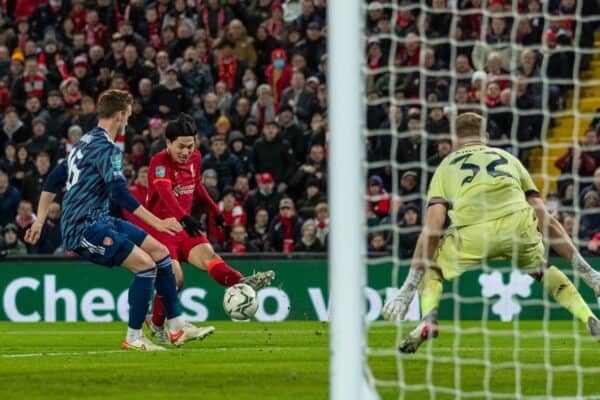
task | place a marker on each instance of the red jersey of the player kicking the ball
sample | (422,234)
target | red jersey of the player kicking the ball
(171,186)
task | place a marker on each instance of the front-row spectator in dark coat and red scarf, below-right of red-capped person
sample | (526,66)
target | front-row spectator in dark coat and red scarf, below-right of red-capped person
(285,230)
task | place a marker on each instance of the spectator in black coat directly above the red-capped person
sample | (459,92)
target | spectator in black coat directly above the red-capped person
(274,155)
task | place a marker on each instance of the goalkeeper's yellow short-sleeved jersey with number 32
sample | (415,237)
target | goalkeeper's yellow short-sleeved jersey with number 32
(480,183)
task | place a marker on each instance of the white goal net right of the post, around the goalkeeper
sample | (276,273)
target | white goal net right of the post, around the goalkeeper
(532,68)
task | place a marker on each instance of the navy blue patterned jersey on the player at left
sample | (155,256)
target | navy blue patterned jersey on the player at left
(92,165)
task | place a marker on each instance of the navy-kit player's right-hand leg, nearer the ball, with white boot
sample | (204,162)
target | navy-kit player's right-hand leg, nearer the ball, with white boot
(179,330)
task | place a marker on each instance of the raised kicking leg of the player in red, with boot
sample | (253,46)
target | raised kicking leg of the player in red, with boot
(201,254)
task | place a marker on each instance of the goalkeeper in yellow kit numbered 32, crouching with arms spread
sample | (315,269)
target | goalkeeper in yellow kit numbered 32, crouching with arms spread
(495,212)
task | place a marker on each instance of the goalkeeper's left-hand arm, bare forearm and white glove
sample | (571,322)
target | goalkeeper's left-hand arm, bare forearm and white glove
(396,309)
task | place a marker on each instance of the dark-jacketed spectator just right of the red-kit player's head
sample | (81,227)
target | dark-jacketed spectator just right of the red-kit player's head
(227,165)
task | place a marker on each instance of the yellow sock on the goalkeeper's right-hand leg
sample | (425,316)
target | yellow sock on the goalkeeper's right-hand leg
(566,294)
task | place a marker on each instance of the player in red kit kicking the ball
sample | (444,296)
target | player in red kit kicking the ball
(173,180)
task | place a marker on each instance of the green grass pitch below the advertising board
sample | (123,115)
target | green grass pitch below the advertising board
(275,361)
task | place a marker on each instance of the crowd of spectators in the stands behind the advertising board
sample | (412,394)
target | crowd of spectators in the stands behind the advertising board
(253,74)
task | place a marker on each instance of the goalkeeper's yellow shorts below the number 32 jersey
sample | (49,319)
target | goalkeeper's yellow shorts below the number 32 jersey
(514,237)
